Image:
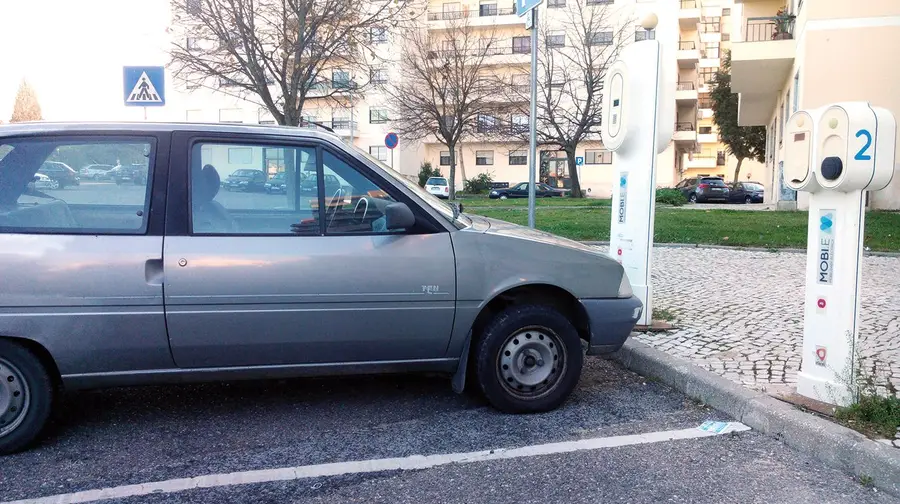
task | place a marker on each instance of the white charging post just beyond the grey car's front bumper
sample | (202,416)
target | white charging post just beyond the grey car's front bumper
(638,123)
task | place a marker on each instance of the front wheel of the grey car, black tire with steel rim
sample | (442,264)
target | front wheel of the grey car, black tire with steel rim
(528,359)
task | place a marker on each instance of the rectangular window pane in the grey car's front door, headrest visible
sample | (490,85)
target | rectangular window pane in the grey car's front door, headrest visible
(230,196)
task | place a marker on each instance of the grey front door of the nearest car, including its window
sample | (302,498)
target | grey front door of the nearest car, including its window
(300,278)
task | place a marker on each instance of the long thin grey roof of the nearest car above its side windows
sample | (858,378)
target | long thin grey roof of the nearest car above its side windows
(42,127)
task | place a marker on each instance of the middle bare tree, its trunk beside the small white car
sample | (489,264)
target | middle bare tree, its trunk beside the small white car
(443,90)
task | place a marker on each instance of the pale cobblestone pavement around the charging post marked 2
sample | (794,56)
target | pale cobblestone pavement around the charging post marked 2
(739,313)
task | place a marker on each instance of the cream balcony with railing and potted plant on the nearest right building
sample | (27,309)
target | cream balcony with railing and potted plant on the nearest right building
(760,65)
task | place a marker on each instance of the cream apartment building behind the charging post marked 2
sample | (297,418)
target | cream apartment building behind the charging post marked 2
(803,54)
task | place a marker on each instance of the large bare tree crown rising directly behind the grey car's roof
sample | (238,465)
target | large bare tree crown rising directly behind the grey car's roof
(278,53)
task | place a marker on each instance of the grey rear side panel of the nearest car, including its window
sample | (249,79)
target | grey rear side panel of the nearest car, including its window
(82,270)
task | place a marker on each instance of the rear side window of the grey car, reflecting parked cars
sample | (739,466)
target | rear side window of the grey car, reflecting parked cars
(42,192)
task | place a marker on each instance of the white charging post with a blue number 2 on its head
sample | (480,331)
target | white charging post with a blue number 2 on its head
(835,153)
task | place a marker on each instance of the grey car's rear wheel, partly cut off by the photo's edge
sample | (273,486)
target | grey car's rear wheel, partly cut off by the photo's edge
(26,395)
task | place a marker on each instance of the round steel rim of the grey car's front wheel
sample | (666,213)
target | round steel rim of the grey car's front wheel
(531,362)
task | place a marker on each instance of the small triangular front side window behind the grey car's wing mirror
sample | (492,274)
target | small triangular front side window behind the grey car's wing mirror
(353,203)
